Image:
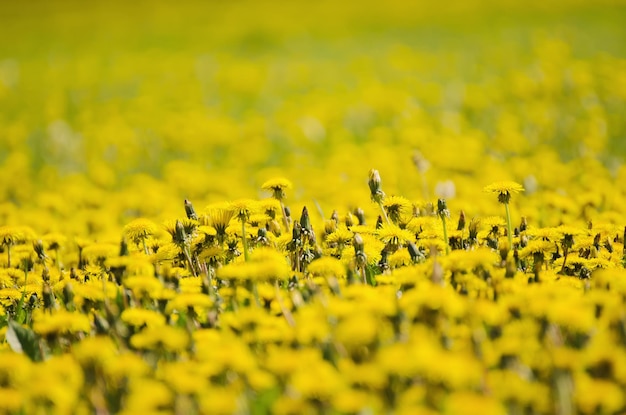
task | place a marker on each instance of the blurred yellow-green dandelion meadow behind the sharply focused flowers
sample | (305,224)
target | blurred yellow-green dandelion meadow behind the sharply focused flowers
(128,107)
